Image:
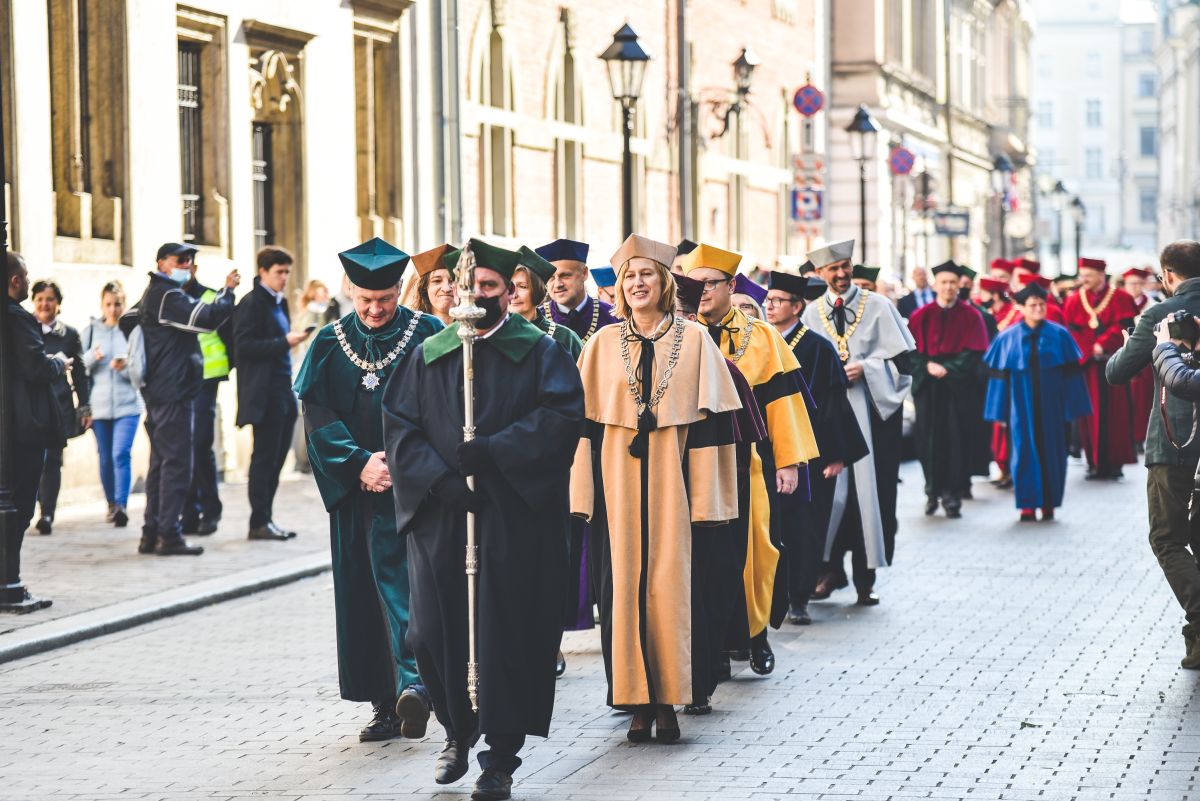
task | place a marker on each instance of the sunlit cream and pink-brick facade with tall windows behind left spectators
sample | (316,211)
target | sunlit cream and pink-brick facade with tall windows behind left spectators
(233,124)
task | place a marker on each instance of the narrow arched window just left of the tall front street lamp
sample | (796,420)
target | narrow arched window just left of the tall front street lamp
(568,148)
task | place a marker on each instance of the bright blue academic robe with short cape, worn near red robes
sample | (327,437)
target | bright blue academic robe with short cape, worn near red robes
(1036,389)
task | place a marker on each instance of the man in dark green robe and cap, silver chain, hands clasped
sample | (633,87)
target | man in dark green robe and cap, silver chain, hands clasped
(341,387)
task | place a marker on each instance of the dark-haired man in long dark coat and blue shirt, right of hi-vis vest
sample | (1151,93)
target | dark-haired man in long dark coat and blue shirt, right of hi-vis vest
(266,401)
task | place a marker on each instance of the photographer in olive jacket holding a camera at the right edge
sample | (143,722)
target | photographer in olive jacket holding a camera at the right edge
(1171,466)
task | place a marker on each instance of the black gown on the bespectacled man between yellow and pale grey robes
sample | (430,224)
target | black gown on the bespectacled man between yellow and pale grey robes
(839,439)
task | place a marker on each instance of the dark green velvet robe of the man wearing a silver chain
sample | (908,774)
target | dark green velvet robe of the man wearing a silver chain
(345,425)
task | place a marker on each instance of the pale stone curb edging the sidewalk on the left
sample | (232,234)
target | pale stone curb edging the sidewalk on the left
(119,617)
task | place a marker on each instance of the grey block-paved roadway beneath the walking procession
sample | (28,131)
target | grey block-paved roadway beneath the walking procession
(1009,661)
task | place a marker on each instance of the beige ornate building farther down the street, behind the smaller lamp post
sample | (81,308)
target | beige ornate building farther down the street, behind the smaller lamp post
(949,82)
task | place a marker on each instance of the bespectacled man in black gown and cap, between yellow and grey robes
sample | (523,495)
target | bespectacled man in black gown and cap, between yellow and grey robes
(839,438)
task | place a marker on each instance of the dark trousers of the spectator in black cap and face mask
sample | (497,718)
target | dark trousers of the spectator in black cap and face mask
(170,479)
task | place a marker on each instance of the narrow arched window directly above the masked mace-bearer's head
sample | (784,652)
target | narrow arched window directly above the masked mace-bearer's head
(496,140)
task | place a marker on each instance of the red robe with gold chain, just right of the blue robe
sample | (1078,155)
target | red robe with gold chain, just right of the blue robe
(1108,436)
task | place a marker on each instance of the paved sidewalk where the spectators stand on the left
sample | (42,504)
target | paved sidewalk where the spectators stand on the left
(88,567)
